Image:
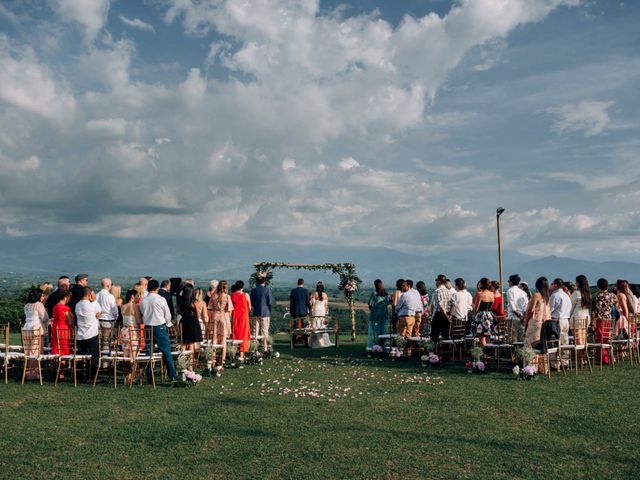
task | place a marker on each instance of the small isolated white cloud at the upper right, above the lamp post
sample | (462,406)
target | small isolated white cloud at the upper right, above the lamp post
(588,116)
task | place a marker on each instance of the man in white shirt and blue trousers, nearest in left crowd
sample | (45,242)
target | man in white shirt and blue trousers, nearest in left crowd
(156,314)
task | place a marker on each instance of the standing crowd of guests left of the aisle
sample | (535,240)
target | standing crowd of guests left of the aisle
(222,313)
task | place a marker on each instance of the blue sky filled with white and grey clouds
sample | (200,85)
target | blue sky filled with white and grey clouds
(401,124)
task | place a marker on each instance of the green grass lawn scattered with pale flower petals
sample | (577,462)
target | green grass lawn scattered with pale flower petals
(358,418)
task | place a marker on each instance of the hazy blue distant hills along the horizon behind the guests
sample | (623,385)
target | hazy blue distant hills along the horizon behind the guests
(162,258)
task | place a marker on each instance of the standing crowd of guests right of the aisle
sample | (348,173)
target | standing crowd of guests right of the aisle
(413,313)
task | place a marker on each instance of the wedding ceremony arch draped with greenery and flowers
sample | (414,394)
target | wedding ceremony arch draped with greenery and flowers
(349,280)
